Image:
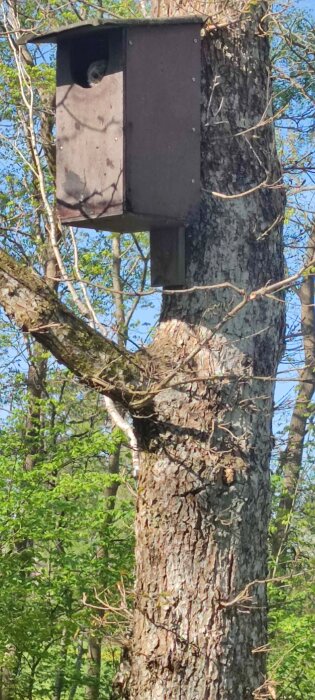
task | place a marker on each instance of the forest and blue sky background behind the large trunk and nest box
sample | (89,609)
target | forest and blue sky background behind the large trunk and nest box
(67,488)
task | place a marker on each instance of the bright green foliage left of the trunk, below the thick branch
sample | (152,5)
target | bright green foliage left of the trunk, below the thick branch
(62,539)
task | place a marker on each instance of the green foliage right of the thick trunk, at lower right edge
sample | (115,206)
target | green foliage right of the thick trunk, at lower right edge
(292,599)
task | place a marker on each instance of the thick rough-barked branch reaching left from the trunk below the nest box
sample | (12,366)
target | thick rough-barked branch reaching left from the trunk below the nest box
(36,309)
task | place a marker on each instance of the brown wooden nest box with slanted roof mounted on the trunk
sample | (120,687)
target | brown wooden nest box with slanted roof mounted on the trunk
(128,126)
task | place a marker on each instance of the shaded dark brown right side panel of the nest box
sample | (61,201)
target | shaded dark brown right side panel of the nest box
(163,121)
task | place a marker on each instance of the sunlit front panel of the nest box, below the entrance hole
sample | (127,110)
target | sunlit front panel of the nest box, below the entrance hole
(89,144)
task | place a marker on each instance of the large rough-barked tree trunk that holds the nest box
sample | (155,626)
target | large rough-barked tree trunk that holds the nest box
(203,503)
